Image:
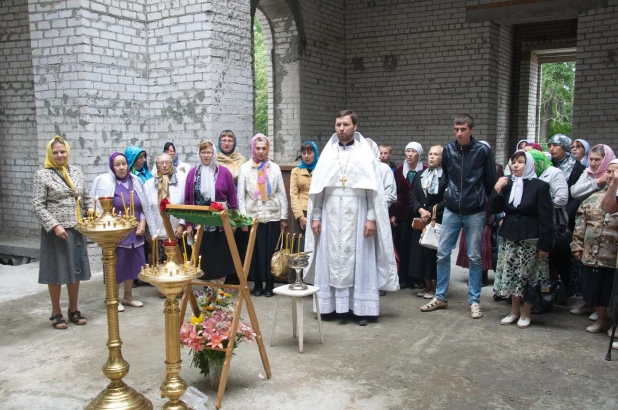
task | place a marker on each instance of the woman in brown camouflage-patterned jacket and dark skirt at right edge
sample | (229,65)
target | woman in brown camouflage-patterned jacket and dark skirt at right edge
(595,243)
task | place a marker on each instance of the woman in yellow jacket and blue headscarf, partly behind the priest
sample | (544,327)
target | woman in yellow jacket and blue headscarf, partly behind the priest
(300,180)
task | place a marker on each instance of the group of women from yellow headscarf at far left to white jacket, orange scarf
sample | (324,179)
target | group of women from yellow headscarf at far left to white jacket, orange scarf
(59,189)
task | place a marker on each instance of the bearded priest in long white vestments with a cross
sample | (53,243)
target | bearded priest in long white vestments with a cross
(353,256)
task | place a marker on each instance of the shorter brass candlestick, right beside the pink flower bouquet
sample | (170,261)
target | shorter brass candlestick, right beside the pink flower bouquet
(171,278)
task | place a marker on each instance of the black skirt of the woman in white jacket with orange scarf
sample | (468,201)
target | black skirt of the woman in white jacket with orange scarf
(265,242)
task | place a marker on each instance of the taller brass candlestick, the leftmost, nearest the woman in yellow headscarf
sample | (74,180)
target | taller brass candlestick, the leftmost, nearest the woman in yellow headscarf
(107,231)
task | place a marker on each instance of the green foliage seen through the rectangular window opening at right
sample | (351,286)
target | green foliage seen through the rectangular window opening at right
(557,89)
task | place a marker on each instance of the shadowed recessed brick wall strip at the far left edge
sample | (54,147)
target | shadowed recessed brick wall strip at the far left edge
(19,158)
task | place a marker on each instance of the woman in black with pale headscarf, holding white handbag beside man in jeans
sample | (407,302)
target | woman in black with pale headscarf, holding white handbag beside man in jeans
(428,192)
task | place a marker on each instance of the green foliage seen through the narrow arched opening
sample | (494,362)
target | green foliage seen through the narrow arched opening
(260,93)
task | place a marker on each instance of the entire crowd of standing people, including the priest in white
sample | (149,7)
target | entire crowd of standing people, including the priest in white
(362,218)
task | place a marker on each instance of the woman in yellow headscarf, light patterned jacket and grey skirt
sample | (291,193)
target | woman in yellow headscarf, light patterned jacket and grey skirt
(56,193)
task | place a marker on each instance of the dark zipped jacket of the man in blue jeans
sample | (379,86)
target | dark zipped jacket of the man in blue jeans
(471,175)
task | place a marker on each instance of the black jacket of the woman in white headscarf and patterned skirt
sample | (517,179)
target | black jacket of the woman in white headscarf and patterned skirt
(532,219)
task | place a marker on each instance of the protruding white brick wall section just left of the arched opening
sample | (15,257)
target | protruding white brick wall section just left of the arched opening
(200,76)
